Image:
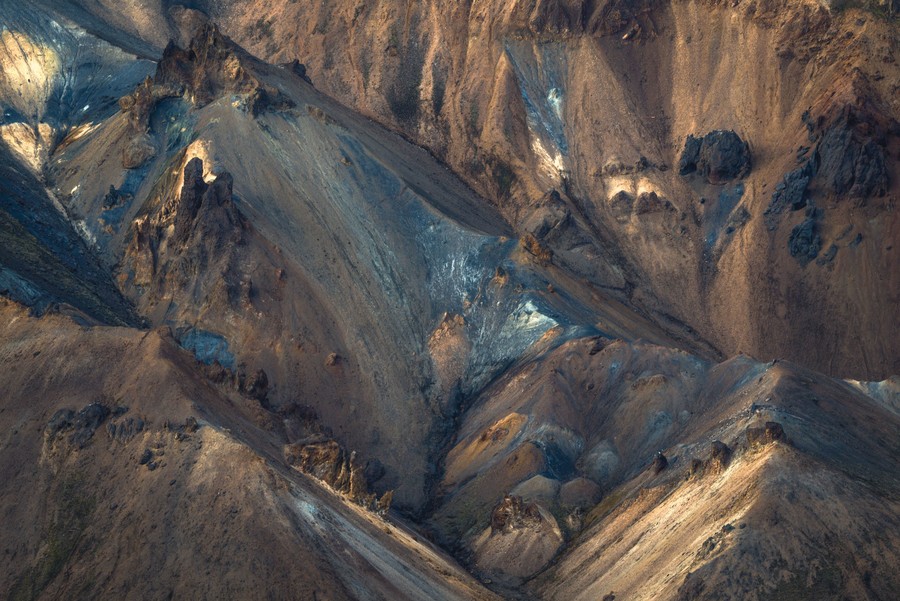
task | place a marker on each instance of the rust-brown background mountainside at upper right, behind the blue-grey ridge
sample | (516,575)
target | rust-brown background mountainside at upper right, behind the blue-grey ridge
(594,99)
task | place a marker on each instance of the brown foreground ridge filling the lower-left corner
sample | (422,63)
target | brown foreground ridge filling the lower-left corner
(149,481)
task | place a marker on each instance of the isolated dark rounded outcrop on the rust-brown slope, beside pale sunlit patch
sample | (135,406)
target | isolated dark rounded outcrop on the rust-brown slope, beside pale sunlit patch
(719,156)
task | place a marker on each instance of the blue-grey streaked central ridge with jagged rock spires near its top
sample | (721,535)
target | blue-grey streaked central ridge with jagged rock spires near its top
(356,250)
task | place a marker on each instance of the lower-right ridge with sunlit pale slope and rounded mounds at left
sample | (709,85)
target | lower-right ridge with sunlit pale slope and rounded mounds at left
(637,456)
